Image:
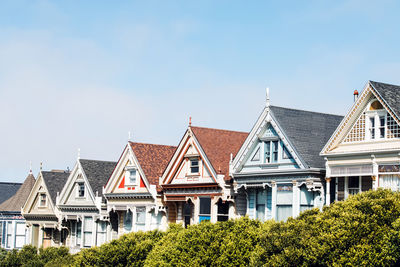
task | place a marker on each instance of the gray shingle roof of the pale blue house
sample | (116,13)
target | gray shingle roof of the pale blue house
(307,131)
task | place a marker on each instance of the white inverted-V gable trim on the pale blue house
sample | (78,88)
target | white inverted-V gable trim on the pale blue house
(263,120)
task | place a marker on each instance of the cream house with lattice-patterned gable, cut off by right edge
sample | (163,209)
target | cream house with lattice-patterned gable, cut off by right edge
(364,151)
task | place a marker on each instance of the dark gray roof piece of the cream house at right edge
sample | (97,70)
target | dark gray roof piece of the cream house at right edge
(390,94)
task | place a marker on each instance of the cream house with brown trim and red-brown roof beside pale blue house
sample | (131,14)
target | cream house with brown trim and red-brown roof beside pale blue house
(196,184)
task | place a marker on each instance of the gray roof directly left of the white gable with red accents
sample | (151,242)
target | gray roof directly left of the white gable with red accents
(97,172)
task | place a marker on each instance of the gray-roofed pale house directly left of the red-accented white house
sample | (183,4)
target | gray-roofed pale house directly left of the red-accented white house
(83,210)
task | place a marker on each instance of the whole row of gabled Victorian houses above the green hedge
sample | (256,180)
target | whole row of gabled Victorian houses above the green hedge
(290,161)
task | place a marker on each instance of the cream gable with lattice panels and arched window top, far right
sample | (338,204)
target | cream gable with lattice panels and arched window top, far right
(369,121)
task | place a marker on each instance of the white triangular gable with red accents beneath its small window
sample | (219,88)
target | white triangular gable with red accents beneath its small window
(119,181)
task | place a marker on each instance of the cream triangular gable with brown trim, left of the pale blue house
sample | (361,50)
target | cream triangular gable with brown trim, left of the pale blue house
(189,164)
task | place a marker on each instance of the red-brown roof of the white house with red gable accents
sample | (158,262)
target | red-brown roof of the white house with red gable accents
(153,159)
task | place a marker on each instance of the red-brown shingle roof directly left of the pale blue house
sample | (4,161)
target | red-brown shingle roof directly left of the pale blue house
(219,145)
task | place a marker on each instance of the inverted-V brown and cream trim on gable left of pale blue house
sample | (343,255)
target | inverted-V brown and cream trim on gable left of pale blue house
(174,165)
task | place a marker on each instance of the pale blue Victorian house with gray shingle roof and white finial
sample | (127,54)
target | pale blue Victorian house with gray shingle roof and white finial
(278,171)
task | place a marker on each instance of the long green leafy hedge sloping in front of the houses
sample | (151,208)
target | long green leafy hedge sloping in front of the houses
(363,230)
